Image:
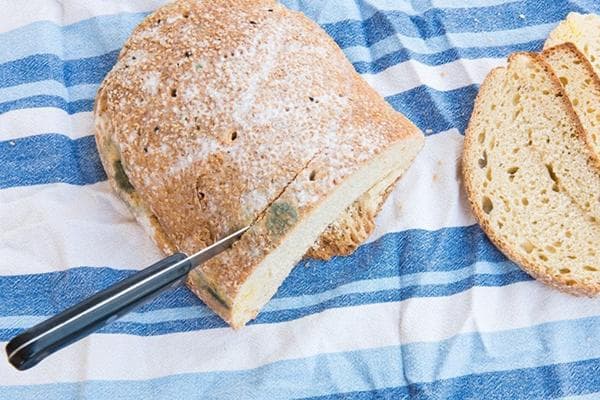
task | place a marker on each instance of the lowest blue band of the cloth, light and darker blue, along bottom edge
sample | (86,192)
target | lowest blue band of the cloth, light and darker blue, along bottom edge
(501,364)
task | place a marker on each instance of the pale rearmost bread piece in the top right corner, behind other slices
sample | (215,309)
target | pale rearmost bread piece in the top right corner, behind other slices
(583,30)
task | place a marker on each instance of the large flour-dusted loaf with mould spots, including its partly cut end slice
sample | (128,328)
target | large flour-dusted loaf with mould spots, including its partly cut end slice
(223,114)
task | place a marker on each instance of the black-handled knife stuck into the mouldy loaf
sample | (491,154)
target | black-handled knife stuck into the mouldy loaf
(32,346)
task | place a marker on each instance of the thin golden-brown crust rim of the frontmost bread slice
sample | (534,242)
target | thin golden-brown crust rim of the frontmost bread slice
(561,283)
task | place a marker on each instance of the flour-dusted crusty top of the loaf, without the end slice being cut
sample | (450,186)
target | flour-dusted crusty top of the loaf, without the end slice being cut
(215,107)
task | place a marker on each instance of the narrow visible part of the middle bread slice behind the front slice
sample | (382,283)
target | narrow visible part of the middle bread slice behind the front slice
(582,87)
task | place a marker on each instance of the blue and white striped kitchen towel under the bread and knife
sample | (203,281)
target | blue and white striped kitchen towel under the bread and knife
(426,309)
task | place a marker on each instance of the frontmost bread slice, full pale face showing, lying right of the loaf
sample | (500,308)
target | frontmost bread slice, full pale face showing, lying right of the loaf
(528,179)
